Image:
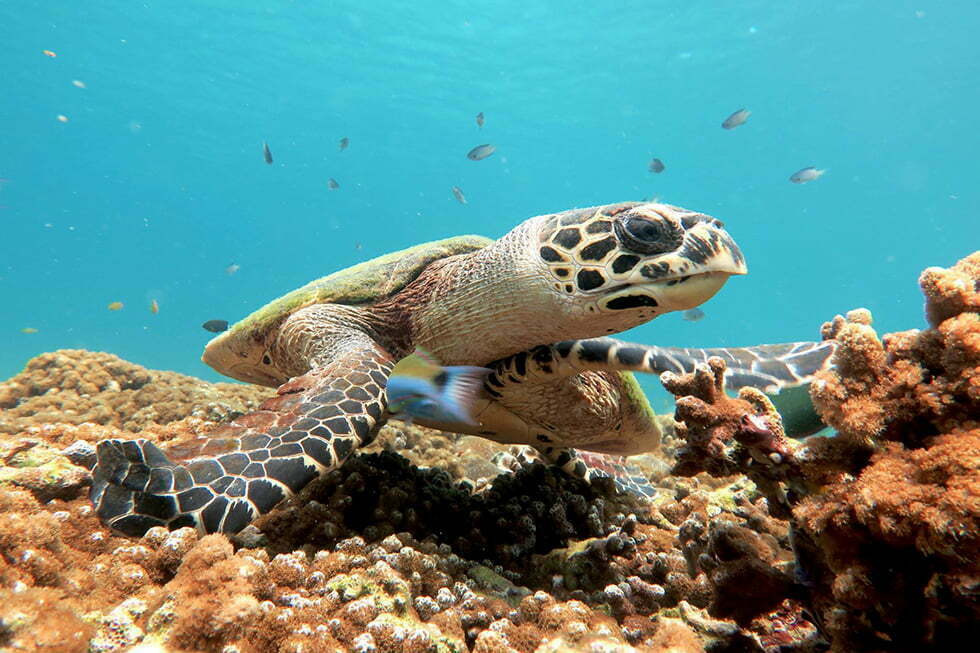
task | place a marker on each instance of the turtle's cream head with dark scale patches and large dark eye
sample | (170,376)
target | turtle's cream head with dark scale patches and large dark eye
(631,262)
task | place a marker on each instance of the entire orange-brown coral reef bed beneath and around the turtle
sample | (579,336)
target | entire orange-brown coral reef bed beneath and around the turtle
(865,538)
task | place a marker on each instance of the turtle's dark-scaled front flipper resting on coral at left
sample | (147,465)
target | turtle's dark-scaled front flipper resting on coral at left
(253,463)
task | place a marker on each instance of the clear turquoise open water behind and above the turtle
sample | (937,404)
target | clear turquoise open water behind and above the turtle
(156,183)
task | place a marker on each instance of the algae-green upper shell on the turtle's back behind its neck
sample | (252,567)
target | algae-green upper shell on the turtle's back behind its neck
(364,283)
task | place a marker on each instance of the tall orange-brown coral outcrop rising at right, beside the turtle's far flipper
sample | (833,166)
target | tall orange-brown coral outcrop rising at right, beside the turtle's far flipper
(884,516)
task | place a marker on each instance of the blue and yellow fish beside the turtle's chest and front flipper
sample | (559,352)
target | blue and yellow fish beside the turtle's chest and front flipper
(421,388)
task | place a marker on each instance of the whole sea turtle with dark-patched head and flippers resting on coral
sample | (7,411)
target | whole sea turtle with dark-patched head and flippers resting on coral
(532,306)
